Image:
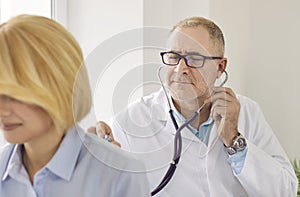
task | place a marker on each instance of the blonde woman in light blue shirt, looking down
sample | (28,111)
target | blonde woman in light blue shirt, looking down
(44,92)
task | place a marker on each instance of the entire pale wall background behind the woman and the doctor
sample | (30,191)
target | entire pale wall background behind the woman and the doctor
(262,40)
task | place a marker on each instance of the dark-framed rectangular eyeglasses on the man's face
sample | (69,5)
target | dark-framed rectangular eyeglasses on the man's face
(192,60)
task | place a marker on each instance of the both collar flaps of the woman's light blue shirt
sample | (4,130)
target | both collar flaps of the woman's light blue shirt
(62,163)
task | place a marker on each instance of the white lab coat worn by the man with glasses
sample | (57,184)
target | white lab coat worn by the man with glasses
(146,129)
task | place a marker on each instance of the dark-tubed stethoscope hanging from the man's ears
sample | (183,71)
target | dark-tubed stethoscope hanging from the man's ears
(177,139)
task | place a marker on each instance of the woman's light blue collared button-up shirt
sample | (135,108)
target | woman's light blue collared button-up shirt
(82,166)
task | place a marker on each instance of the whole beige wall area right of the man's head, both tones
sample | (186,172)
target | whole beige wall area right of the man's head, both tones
(262,47)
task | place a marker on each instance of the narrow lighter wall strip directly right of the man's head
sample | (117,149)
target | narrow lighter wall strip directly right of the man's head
(233,18)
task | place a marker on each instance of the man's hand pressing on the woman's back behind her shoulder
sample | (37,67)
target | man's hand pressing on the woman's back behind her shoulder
(104,131)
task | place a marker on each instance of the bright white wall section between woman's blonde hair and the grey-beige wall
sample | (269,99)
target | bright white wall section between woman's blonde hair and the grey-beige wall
(100,27)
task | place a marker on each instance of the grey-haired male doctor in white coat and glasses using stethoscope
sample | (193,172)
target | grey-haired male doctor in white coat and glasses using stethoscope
(228,150)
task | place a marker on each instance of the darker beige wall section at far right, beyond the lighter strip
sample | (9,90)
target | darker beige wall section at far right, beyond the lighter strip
(275,30)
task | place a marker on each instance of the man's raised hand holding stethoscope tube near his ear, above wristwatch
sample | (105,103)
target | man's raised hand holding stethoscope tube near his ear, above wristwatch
(225,111)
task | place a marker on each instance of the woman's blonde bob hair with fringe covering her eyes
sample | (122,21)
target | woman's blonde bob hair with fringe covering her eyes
(42,64)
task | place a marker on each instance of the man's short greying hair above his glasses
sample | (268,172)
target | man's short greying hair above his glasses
(214,31)
